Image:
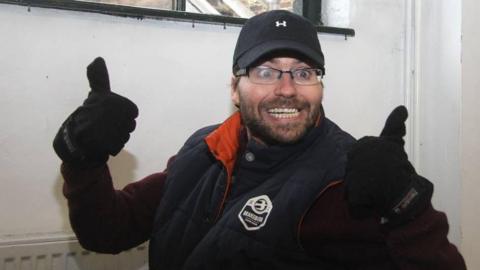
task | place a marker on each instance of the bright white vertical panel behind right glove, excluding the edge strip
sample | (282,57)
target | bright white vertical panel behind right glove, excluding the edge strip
(438,92)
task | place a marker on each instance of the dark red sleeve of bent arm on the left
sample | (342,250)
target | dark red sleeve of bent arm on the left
(107,220)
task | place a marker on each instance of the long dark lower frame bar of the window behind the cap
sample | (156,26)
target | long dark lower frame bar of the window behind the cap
(142,13)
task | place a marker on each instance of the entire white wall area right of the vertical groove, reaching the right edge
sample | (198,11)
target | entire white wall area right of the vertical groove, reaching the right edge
(448,116)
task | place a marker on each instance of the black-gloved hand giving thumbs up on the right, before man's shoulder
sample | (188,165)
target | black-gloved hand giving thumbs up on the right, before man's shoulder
(380,181)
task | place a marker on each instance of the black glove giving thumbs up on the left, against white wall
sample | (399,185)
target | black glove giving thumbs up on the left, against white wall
(98,128)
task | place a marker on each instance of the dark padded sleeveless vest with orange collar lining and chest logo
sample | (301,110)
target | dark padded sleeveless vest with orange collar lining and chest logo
(197,224)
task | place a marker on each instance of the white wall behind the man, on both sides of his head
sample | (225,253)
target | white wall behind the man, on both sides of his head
(42,79)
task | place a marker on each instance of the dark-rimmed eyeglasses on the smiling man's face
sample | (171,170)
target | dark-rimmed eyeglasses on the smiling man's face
(268,75)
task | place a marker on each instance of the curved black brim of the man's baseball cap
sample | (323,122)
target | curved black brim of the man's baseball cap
(255,53)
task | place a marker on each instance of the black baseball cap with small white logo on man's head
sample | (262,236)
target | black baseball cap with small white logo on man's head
(274,31)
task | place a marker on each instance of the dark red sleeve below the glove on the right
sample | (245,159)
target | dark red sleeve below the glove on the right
(328,232)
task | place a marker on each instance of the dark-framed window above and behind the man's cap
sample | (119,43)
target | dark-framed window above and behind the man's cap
(210,11)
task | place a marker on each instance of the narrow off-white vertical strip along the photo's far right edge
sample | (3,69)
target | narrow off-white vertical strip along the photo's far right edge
(470,133)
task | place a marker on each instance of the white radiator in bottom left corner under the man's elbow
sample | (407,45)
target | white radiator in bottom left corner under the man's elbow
(66,254)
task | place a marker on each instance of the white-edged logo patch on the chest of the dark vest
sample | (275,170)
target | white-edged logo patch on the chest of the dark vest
(255,212)
